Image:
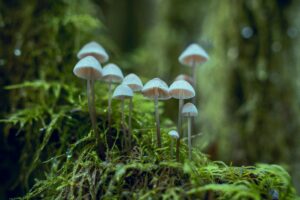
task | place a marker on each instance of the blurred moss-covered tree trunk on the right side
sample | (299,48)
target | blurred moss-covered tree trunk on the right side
(252,101)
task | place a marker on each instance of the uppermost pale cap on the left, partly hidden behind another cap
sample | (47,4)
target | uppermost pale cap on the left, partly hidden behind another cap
(93,49)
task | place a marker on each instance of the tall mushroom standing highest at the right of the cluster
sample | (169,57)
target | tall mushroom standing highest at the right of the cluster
(192,56)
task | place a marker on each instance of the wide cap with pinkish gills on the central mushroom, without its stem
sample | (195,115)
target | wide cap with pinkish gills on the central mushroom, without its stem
(156,88)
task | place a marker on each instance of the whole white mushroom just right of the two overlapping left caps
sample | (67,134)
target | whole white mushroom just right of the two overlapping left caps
(111,74)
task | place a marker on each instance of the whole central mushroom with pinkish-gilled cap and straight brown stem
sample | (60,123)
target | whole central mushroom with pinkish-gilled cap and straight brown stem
(156,89)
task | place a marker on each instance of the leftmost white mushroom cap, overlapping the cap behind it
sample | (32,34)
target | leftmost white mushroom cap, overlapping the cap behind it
(88,68)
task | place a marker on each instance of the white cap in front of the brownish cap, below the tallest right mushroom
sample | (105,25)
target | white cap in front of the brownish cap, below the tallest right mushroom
(181,89)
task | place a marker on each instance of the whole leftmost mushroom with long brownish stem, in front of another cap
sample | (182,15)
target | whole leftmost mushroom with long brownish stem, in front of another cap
(90,69)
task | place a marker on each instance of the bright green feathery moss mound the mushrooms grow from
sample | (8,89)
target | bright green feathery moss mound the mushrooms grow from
(68,165)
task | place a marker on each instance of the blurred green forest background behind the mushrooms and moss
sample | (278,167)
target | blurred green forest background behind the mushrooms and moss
(248,93)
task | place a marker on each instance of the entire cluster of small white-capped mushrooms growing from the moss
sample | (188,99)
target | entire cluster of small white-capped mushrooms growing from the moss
(92,55)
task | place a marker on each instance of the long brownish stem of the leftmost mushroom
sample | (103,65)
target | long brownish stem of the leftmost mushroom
(91,105)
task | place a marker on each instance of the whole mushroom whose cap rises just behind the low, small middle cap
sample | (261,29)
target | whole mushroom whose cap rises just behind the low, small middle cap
(135,83)
